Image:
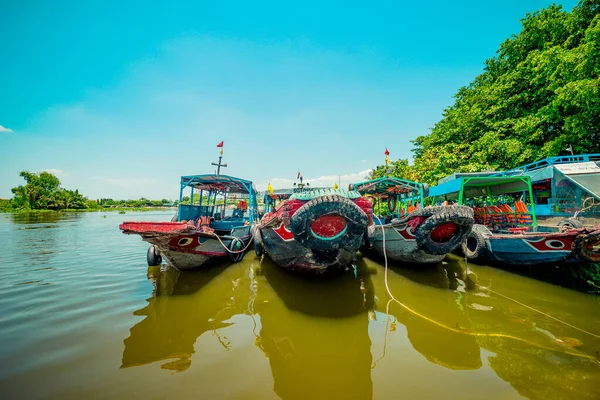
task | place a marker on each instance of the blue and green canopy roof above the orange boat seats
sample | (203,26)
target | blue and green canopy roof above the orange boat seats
(475,186)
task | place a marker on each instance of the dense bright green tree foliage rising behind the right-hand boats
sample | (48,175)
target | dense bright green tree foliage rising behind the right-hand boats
(537,96)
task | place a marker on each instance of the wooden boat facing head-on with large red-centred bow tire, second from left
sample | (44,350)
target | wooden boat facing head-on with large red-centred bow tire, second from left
(313,230)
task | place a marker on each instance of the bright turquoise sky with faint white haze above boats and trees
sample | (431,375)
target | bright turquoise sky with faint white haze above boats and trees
(119,99)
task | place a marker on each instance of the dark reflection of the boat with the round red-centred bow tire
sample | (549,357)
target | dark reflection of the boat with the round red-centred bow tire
(323,349)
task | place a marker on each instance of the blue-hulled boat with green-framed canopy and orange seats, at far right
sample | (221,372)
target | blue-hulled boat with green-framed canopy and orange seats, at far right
(511,235)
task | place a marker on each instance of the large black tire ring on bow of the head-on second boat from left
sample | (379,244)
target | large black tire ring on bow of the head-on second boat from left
(355,217)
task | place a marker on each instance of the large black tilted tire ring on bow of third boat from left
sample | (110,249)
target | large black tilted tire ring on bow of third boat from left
(459,215)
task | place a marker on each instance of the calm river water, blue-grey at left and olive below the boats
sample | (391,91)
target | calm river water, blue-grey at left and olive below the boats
(82,316)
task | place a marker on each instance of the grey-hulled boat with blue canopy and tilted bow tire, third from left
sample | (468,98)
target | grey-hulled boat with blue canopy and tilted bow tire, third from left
(413,235)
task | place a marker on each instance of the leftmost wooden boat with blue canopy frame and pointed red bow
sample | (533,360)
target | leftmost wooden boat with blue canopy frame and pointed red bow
(216,226)
